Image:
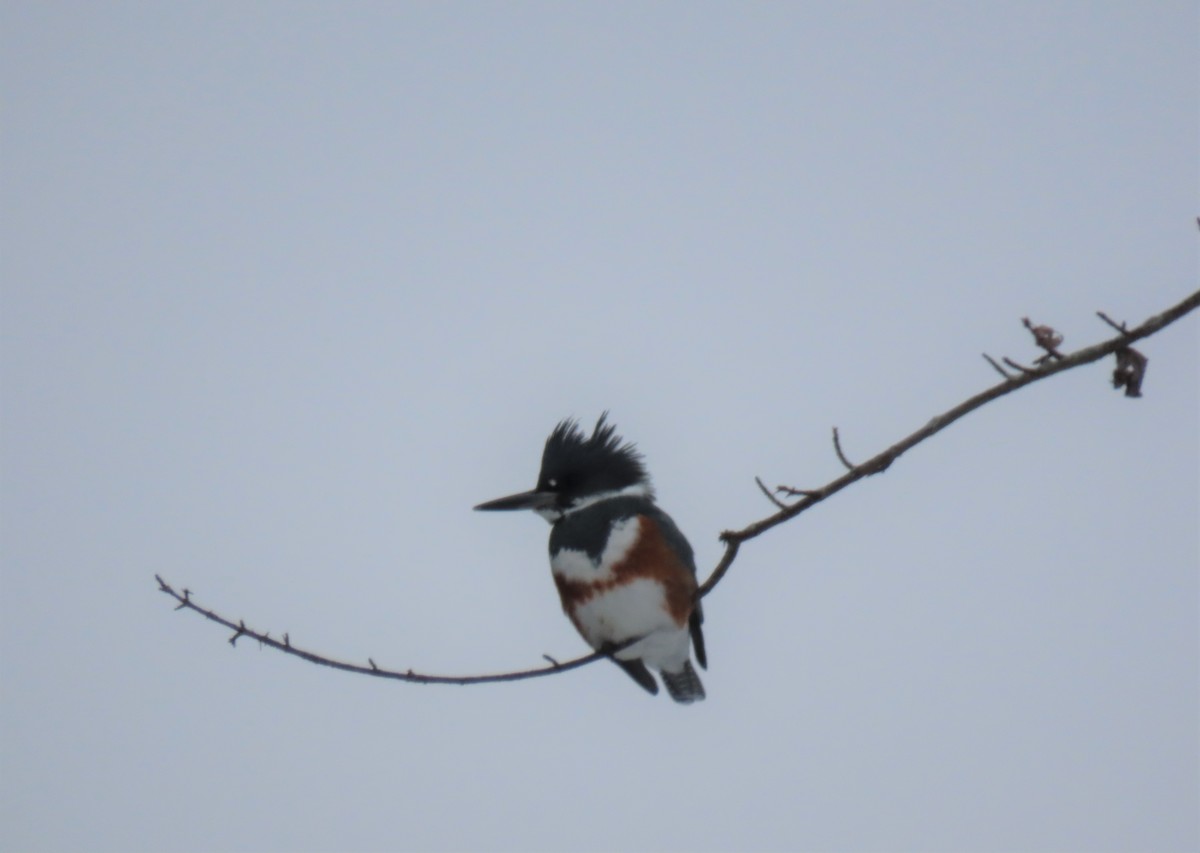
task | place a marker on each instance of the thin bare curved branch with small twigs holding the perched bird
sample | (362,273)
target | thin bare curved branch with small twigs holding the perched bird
(734,539)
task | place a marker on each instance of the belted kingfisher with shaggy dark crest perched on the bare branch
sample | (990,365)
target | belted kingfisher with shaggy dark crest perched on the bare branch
(623,570)
